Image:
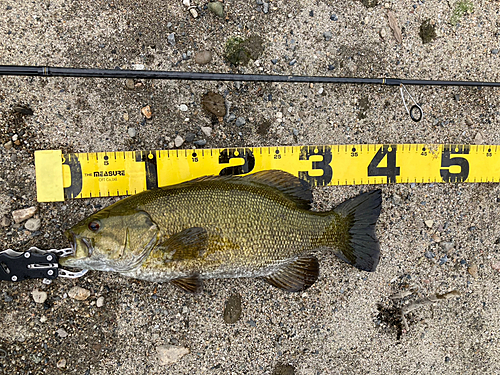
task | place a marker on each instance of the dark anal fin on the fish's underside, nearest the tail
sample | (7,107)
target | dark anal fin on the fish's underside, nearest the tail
(297,275)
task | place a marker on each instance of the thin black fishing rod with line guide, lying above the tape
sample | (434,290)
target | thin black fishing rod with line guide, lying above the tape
(415,111)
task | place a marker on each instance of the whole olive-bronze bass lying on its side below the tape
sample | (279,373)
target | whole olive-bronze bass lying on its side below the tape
(259,225)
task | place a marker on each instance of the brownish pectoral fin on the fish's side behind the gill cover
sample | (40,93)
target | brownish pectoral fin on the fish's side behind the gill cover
(191,243)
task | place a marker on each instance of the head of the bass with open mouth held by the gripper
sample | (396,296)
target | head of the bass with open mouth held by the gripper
(111,240)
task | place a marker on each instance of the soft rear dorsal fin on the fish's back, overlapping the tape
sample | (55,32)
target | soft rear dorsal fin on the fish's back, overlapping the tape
(292,187)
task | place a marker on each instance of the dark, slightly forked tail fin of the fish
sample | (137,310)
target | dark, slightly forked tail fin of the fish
(351,231)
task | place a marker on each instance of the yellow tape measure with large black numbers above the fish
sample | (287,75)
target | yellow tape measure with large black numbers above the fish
(100,174)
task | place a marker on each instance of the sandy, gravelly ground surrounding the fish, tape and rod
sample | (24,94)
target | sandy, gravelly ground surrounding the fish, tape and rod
(346,323)
